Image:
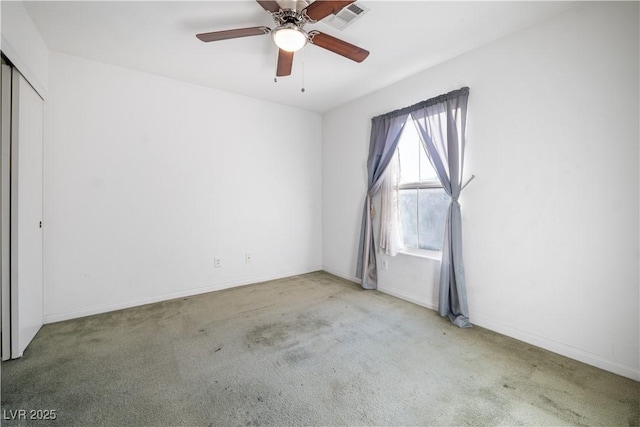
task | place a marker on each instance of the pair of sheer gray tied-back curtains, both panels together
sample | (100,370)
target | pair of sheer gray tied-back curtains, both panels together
(441,123)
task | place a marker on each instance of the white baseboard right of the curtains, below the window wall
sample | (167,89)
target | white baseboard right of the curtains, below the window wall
(560,348)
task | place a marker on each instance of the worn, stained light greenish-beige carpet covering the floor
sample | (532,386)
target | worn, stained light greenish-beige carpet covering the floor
(306,350)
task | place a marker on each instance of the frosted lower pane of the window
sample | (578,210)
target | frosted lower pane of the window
(432,212)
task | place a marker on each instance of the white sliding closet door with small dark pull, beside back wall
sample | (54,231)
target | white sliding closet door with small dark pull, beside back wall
(27,293)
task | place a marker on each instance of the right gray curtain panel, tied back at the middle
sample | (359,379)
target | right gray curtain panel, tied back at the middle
(441,122)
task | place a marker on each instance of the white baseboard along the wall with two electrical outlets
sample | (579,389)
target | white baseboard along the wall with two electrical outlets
(59,317)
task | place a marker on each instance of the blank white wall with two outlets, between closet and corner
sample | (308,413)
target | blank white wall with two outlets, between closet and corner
(148,179)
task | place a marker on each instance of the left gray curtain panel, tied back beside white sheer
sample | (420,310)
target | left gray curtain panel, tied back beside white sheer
(385,133)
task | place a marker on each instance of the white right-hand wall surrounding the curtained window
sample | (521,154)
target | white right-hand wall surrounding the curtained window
(550,224)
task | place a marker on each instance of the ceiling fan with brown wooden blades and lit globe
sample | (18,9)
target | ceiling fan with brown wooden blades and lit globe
(289,34)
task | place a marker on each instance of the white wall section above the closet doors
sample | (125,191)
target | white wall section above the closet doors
(23,45)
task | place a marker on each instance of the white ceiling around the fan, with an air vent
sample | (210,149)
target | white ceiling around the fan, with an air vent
(158,37)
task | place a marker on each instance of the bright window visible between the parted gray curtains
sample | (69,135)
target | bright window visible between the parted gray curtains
(423,202)
